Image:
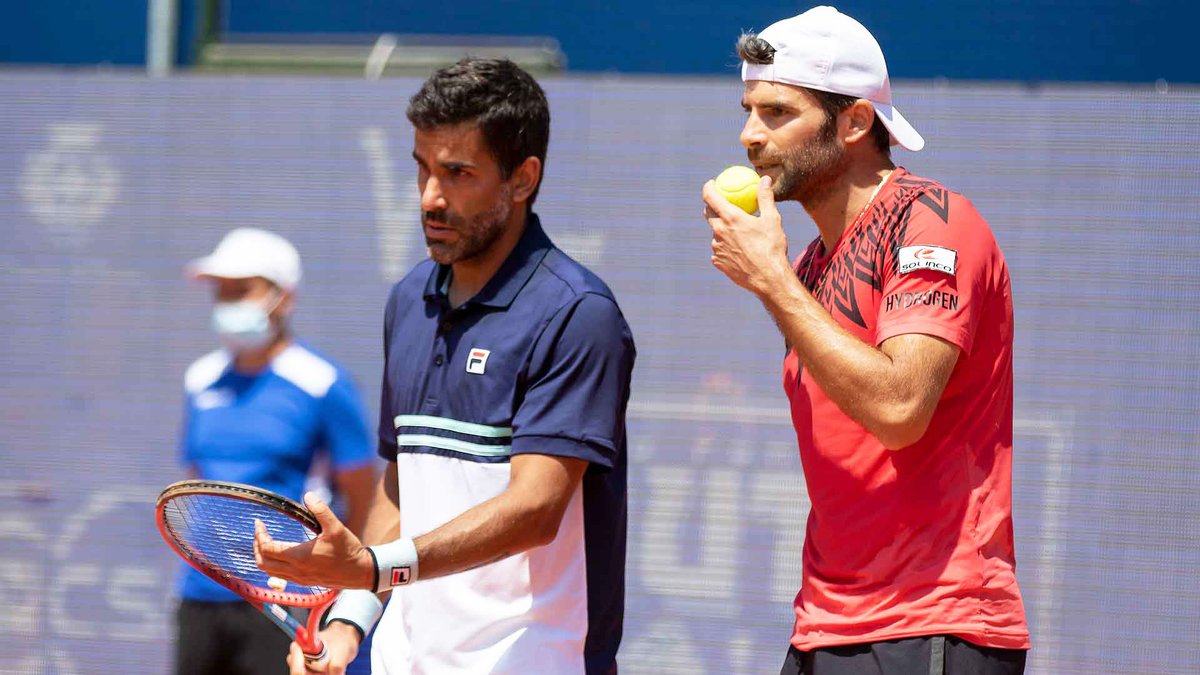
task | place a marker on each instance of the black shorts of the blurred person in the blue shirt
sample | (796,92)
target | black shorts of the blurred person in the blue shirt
(229,640)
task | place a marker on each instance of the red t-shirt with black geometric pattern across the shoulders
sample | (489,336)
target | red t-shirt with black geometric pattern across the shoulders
(919,541)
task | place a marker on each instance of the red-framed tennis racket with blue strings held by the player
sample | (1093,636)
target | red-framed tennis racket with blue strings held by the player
(211,524)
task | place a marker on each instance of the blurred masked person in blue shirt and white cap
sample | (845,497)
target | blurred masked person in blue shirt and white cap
(261,410)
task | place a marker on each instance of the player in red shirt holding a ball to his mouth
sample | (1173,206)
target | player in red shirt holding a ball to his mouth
(899,369)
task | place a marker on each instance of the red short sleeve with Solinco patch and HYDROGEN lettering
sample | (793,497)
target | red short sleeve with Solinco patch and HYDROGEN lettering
(935,277)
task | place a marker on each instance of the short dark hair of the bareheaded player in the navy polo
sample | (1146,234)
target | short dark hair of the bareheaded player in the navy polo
(503,101)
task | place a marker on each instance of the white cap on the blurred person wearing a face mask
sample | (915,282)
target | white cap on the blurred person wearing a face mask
(248,253)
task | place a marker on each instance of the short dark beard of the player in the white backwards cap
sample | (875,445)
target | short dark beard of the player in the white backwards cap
(808,174)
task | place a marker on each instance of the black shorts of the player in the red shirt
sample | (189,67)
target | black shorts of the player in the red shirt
(933,655)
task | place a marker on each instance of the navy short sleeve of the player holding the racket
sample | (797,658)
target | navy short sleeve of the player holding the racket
(579,385)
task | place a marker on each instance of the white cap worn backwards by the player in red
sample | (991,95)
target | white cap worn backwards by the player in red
(829,51)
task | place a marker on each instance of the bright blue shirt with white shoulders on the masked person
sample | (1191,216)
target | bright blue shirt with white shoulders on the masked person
(267,428)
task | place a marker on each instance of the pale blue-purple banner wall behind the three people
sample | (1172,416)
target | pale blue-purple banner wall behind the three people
(110,184)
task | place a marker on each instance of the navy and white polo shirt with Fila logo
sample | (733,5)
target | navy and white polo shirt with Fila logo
(538,362)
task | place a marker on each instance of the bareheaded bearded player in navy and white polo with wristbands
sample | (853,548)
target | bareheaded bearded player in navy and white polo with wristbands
(502,512)
